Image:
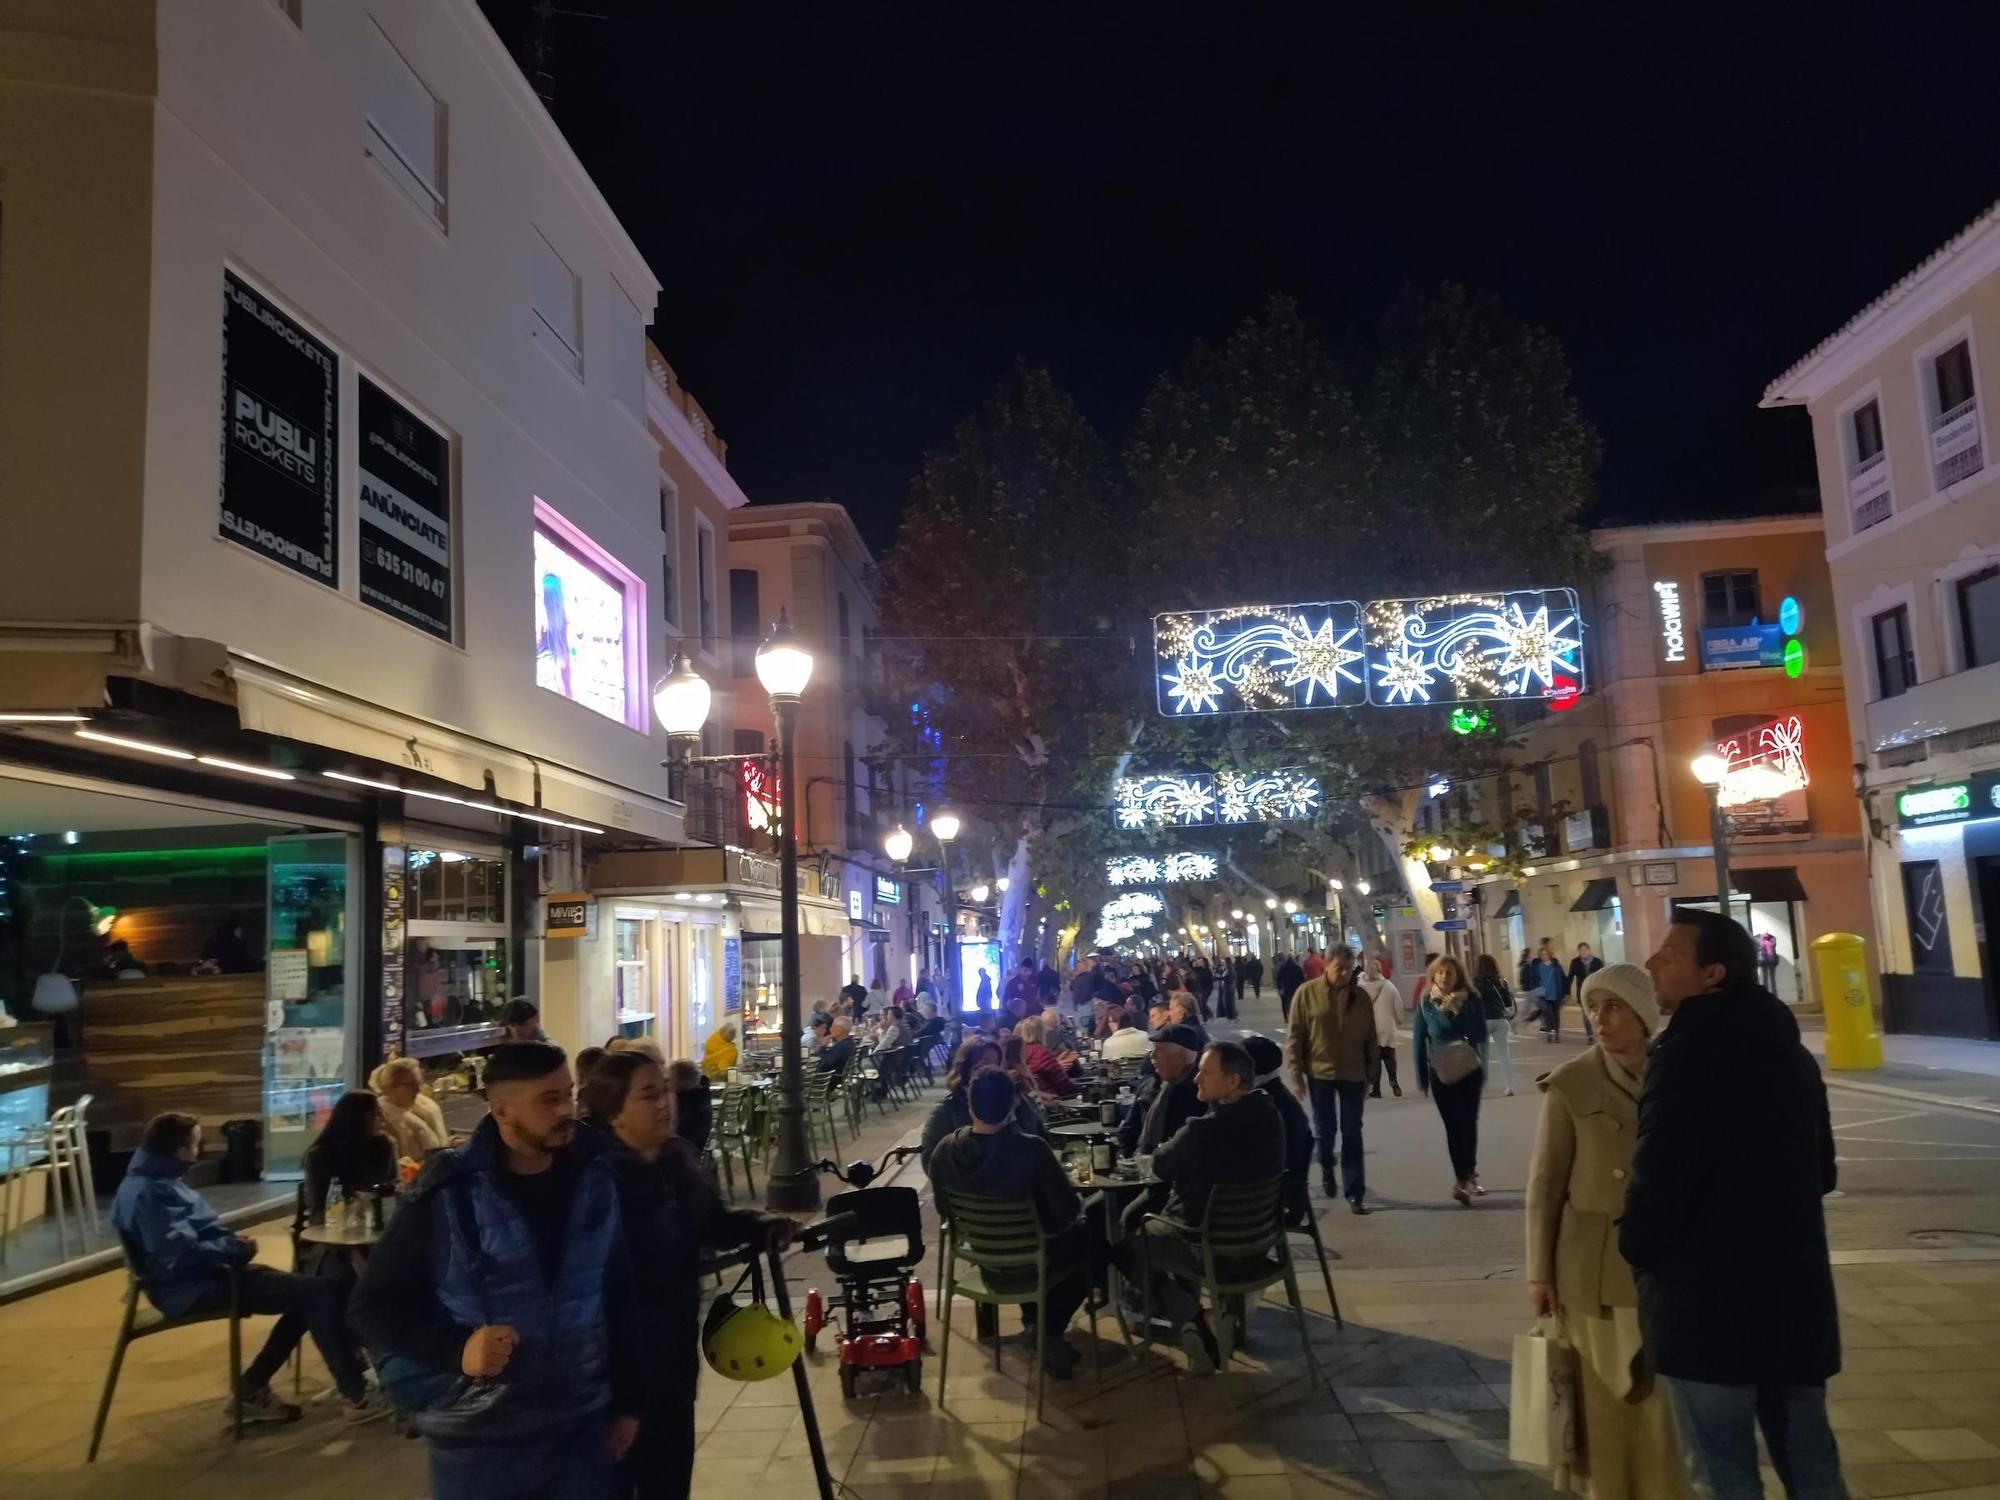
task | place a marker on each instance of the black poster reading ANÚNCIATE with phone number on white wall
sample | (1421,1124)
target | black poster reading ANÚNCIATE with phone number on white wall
(405,513)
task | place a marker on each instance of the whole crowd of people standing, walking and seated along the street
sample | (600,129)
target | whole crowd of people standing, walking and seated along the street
(533,1309)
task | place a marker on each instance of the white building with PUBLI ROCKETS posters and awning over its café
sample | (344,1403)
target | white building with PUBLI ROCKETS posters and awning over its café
(331,501)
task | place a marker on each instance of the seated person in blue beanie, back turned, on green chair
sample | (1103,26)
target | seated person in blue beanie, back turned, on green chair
(993,1159)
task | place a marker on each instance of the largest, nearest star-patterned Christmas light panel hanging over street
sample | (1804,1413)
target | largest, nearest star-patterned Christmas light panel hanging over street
(1389,653)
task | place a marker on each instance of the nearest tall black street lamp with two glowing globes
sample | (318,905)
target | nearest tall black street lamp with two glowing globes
(681,701)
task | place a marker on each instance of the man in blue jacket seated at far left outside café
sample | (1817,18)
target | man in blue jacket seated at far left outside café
(185,1259)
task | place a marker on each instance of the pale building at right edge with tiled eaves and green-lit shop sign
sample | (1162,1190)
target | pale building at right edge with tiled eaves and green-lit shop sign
(1905,413)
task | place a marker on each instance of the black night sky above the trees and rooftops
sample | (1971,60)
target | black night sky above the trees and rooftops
(863,215)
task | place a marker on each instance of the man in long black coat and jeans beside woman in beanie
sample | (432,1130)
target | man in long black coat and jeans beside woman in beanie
(1725,1221)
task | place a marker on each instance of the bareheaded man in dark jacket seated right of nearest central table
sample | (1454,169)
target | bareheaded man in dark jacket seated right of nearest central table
(1237,1141)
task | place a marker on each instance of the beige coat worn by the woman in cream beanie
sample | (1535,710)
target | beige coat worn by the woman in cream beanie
(1577,1183)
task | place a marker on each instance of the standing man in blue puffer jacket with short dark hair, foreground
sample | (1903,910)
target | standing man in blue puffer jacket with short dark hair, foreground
(501,1301)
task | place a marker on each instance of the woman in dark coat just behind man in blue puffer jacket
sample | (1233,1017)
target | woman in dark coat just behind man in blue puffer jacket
(671,1221)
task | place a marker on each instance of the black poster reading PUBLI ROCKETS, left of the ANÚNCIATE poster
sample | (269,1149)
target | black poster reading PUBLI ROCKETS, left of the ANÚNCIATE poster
(279,425)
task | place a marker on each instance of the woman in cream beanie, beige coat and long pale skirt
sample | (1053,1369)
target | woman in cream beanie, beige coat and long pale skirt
(1577,1187)
